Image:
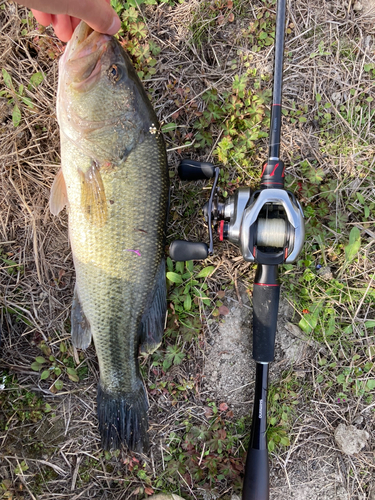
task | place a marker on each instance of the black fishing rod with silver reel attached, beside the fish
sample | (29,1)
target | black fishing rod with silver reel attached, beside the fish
(268,227)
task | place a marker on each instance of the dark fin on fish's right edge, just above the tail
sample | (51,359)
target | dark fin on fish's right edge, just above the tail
(154,317)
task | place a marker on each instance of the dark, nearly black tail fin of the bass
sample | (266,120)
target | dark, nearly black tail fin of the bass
(123,419)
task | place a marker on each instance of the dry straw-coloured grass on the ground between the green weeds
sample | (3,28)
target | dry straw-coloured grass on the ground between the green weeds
(61,450)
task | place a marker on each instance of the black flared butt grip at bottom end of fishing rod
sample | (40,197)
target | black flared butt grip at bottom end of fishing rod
(256,483)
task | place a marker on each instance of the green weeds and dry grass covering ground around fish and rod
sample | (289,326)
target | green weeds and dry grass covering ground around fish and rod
(207,67)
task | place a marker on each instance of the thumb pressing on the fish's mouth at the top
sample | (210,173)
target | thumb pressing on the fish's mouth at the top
(98,14)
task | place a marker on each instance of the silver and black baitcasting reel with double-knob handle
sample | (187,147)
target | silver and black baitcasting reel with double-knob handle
(267,225)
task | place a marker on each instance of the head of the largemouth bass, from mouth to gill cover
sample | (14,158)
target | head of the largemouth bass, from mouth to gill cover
(101,104)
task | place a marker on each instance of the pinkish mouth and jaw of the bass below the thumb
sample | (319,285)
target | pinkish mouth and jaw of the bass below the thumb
(83,59)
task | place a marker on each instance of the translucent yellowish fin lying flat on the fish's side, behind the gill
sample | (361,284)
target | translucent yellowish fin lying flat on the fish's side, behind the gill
(93,198)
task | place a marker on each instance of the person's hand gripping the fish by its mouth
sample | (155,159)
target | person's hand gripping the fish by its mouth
(65,15)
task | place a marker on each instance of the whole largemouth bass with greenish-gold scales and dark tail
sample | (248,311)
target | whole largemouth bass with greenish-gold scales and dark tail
(114,181)
